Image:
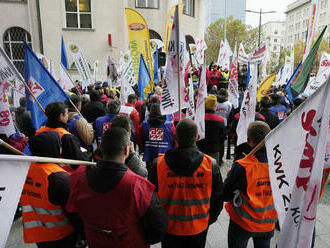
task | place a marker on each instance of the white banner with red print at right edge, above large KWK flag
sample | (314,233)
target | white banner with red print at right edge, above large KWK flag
(322,74)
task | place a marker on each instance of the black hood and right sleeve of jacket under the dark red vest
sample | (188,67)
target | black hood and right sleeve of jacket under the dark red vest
(106,176)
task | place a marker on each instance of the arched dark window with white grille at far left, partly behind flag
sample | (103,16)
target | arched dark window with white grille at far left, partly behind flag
(14,46)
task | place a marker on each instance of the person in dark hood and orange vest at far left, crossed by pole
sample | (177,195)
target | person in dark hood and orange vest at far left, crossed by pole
(44,197)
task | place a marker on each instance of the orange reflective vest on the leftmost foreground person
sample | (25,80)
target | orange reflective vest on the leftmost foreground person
(42,220)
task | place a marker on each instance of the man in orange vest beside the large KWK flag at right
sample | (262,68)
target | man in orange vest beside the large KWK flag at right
(248,192)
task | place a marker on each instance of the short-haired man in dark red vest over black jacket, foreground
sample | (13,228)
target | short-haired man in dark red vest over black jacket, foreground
(118,207)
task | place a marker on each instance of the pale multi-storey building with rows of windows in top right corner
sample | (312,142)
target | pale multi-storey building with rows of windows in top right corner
(297,18)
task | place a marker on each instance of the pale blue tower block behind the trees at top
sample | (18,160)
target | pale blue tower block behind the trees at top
(216,9)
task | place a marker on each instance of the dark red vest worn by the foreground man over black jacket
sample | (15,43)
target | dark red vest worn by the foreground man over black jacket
(112,219)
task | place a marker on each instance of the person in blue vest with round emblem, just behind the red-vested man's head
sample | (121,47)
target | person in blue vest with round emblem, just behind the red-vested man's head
(103,123)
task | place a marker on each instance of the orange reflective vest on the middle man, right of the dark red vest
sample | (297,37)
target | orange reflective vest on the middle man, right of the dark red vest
(186,200)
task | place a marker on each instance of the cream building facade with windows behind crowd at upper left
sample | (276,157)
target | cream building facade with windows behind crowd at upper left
(99,27)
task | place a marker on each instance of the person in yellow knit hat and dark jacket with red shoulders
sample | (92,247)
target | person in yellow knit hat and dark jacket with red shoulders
(214,139)
